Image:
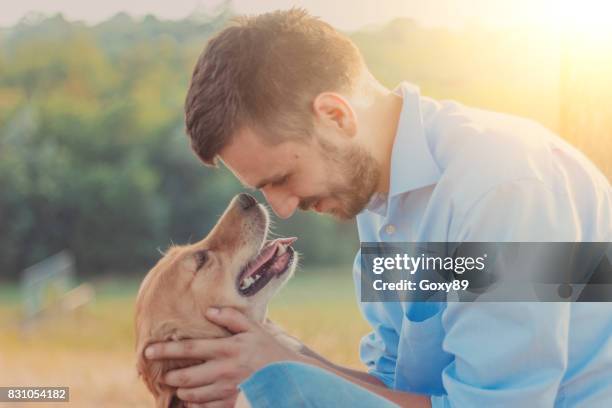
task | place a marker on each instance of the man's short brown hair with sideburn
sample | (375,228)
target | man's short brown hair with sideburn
(263,72)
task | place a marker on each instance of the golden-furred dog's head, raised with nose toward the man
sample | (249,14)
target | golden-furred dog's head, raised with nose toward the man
(233,266)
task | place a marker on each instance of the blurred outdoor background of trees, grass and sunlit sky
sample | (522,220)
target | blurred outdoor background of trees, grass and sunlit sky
(96,175)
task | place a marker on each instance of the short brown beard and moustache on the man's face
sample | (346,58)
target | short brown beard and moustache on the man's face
(355,174)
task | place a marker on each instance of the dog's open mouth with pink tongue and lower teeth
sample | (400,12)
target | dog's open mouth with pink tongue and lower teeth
(272,261)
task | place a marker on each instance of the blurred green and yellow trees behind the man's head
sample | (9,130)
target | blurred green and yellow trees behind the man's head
(93,156)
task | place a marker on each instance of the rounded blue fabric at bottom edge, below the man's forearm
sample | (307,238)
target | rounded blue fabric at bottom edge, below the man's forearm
(289,384)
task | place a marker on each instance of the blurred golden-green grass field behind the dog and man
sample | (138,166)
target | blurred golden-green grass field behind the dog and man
(92,351)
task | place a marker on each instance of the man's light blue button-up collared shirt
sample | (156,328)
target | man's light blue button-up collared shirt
(461,174)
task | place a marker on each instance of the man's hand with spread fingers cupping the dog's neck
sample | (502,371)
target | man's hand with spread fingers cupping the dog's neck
(228,361)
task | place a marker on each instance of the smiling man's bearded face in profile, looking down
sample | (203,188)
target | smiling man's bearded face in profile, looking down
(336,177)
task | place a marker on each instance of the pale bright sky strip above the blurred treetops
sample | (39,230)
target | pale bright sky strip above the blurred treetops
(343,14)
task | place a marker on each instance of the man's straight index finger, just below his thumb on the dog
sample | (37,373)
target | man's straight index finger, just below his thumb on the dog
(198,349)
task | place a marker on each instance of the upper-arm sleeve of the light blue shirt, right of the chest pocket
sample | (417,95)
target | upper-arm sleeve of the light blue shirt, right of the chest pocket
(511,353)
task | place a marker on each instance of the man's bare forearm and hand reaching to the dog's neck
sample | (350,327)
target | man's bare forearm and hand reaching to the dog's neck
(229,361)
